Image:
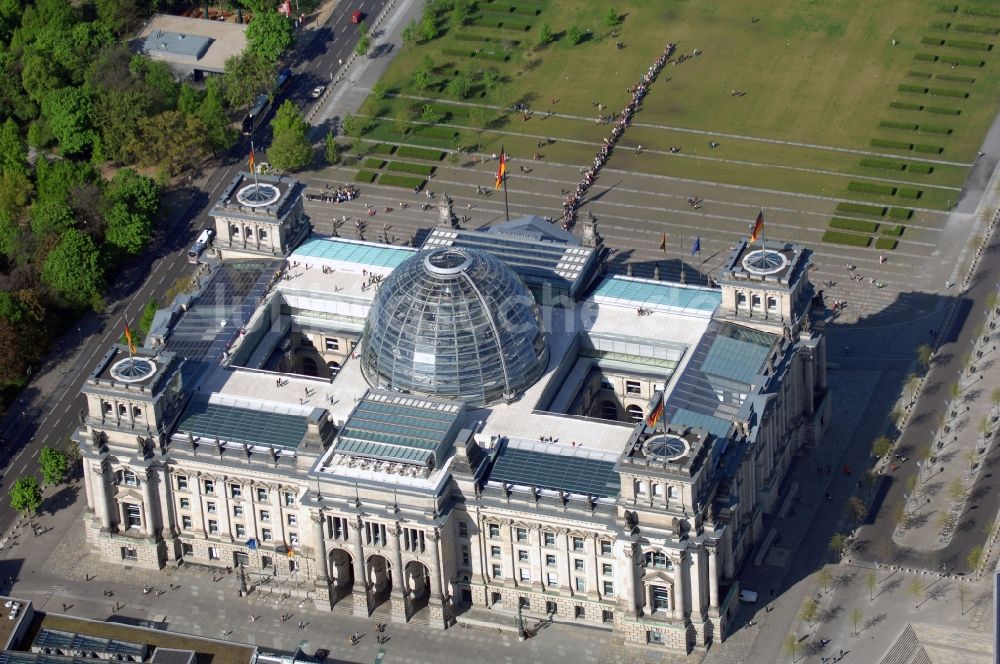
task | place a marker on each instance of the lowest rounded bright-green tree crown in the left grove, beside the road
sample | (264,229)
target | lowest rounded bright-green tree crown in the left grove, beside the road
(74,270)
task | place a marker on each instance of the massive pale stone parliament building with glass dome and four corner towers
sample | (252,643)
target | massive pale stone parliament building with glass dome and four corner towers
(491,422)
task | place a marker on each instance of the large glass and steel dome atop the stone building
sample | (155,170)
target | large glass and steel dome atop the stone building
(454,323)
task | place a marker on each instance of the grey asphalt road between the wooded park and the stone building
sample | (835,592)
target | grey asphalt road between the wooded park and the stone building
(48,410)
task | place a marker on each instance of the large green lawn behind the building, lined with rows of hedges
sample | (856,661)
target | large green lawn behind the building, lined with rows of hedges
(832,91)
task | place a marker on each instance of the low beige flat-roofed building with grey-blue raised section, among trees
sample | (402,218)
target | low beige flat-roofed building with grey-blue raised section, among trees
(192,43)
